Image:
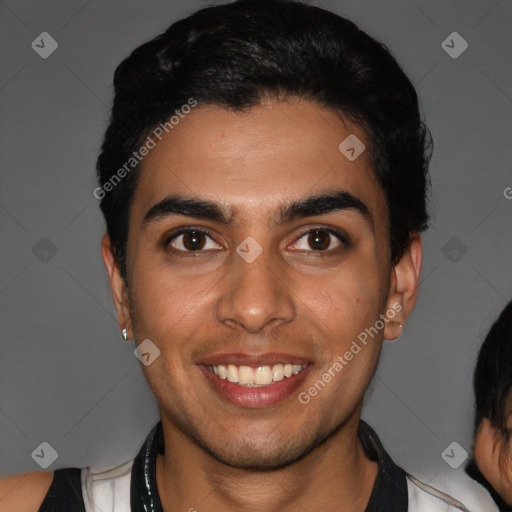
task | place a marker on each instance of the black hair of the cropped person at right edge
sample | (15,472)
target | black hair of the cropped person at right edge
(492,380)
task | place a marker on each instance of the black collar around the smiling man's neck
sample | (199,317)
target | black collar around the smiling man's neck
(389,491)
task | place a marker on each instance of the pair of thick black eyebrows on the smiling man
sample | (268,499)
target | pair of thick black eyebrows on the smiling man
(318,204)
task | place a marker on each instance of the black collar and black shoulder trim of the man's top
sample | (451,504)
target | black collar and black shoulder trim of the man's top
(65,494)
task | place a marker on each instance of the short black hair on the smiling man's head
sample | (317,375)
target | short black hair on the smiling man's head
(238,54)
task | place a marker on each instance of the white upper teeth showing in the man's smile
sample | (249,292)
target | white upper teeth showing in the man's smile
(259,376)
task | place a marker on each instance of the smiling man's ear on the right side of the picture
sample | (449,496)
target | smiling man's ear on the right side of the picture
(403,289)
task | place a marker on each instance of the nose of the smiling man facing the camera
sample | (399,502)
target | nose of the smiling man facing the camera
(255,295)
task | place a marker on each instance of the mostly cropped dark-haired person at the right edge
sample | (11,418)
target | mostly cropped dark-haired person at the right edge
(491,465)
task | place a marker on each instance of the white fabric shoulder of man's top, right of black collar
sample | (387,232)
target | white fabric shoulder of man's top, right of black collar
(448,492)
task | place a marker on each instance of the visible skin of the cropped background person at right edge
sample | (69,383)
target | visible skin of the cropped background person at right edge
(487,449)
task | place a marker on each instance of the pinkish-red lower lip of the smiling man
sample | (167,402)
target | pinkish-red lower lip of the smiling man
(256,397)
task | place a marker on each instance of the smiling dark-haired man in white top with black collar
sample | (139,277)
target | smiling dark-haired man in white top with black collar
(263,181)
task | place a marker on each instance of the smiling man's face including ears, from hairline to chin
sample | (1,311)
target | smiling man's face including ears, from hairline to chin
(269,273)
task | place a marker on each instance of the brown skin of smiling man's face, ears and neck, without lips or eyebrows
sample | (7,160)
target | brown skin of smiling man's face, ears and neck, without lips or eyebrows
(291,299)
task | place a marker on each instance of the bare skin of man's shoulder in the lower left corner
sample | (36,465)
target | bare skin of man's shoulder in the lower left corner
(25,492)
